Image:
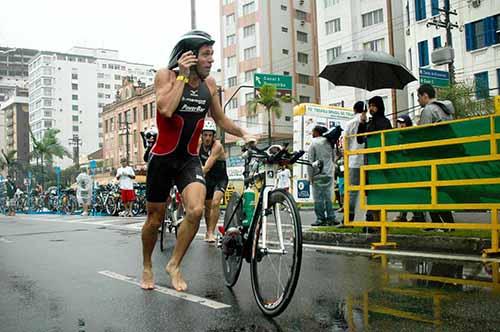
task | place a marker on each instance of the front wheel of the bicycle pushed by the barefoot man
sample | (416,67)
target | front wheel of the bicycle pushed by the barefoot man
(275,264)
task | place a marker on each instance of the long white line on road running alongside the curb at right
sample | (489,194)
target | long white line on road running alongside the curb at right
(401,253)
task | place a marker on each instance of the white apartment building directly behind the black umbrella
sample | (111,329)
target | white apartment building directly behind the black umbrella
(351,25)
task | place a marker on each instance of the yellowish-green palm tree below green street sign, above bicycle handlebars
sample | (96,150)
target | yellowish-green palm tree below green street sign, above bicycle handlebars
(271,100)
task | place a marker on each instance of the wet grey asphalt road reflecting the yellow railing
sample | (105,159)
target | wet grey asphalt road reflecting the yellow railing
(50,281)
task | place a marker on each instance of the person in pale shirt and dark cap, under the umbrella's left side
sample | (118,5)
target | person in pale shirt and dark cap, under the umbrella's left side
(355,161)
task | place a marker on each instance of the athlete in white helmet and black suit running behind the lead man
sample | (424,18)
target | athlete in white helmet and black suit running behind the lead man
(213,159)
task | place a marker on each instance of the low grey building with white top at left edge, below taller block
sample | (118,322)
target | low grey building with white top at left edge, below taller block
(15,121)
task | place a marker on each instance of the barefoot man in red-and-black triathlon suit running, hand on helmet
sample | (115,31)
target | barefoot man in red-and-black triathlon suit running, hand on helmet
(183,98)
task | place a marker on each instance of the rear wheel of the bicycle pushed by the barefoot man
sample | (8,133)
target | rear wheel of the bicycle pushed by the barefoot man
(231,264)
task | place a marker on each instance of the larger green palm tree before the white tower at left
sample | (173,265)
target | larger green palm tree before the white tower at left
(47,148)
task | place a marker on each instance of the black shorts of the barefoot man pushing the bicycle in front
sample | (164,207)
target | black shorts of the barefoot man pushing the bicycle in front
(165,171)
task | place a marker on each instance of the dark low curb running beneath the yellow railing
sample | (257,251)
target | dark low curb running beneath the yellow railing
(446,244)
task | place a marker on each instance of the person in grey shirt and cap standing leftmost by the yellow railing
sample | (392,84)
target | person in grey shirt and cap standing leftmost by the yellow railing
(322,183)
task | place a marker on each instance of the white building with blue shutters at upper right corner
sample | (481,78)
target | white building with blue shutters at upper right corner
(476,43)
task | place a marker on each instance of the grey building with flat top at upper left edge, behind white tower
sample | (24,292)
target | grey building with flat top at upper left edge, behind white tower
(13,69)
